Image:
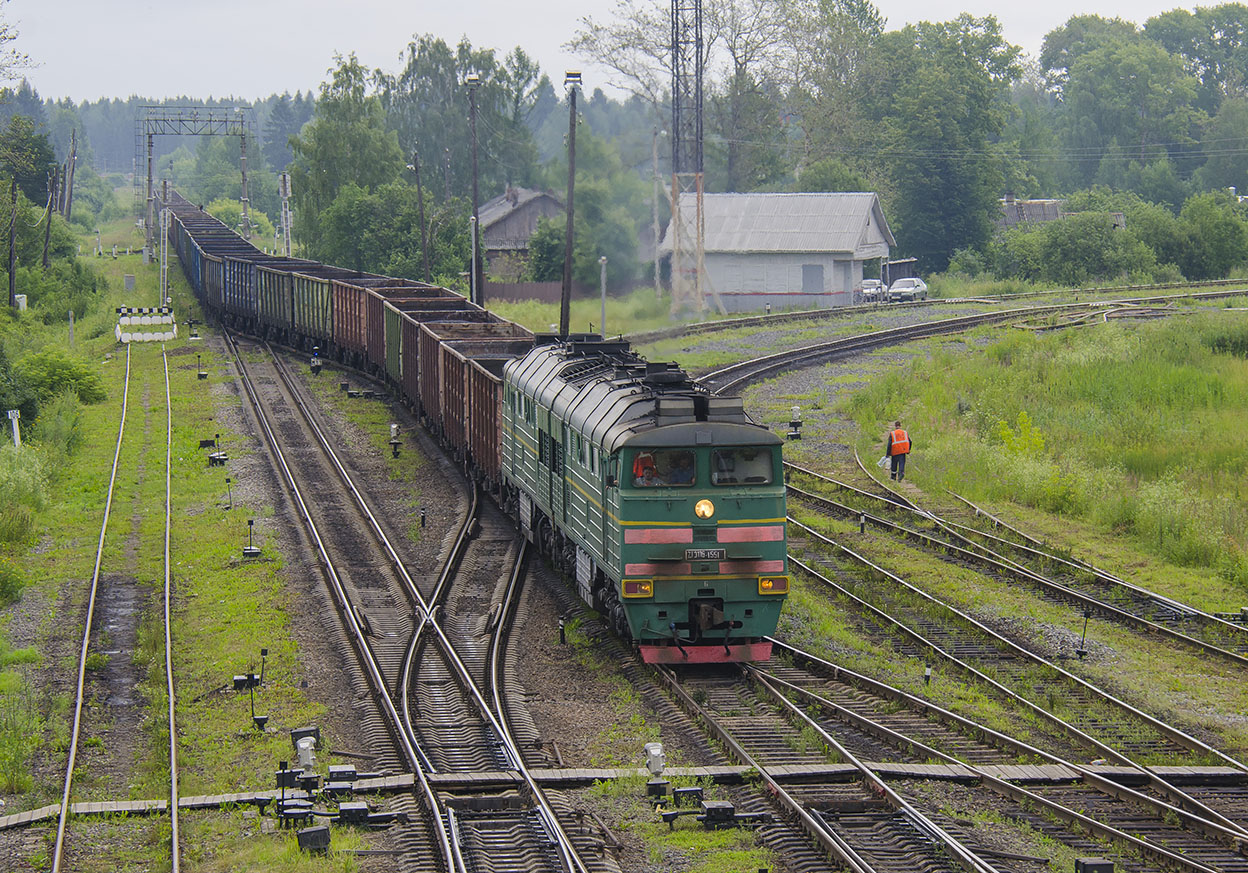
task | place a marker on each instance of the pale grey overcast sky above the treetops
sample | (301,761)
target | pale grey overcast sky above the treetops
(88,49)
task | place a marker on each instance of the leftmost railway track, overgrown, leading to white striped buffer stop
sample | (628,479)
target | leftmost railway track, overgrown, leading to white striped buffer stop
(113,607)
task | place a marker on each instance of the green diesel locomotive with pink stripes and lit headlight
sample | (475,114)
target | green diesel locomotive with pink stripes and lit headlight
(666,503)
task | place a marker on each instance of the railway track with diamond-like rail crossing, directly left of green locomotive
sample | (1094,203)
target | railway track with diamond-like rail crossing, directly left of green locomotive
(427,693)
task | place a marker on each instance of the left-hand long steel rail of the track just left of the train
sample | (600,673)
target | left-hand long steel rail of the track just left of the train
(356,630)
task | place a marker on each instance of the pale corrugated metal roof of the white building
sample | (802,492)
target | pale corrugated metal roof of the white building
(788,223)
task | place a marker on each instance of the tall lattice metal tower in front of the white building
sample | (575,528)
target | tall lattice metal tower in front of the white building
(690,285)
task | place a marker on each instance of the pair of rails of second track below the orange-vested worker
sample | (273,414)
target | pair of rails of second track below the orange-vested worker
(1174,734)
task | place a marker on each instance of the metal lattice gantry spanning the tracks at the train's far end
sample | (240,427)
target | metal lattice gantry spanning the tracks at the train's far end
(189,122)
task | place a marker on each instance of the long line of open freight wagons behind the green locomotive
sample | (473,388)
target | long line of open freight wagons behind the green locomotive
(444,352)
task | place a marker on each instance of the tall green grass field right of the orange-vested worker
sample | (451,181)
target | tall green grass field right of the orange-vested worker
(1138,428)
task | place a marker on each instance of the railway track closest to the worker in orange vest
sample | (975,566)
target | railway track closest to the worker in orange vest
(1075,583)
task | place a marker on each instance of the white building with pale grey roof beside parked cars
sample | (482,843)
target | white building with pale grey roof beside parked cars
(788,250)
